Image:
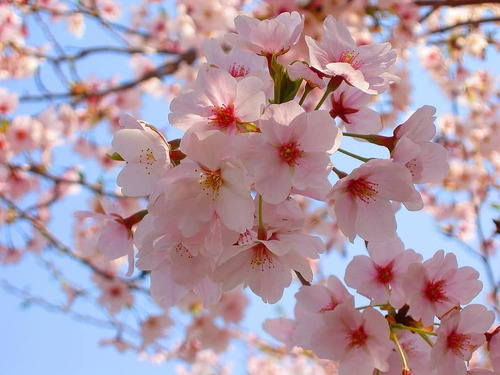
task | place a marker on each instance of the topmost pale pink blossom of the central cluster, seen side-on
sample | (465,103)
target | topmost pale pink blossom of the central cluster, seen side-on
(267,37)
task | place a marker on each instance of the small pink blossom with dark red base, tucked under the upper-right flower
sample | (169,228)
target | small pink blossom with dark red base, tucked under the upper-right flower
(349,104)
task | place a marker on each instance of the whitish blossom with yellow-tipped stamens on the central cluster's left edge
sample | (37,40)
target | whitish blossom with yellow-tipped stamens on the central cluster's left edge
(147,155)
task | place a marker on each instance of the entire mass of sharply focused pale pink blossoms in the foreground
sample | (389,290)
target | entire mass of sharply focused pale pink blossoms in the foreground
(223,202)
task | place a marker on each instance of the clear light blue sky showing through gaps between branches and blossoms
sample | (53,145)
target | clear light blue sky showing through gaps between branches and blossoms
(36,341)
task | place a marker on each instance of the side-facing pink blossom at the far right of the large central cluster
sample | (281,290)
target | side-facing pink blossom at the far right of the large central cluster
(427,161)
